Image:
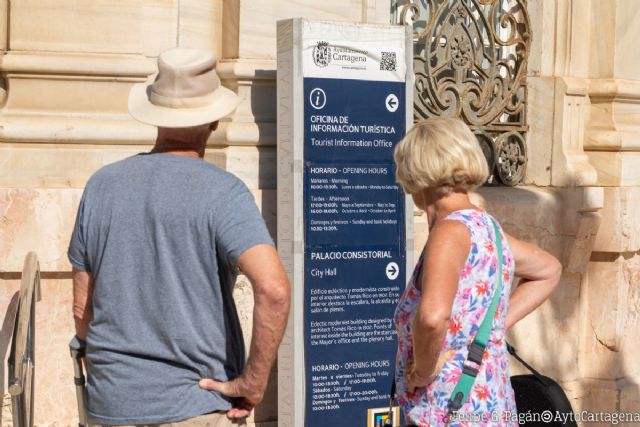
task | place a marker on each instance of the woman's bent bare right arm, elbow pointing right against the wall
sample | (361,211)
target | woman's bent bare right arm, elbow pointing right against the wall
(540,272)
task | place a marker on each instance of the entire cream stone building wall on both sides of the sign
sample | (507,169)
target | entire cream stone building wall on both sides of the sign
(65,72)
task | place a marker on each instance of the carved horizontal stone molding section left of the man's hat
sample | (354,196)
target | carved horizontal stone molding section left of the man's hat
(72,98)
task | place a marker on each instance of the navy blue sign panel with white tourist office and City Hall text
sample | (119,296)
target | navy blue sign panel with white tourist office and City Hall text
(354,246)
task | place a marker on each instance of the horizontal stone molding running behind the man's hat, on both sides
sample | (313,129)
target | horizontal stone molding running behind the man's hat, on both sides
(82,98)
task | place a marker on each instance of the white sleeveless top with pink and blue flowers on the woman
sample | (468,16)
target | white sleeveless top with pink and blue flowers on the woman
(491,401)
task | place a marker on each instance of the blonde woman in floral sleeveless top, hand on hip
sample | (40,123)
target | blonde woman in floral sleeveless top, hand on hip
(438,163)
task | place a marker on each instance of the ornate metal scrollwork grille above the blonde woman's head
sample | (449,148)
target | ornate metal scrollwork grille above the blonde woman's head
(470,61)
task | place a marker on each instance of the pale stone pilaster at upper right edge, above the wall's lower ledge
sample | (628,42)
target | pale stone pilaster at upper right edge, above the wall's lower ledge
(612,139)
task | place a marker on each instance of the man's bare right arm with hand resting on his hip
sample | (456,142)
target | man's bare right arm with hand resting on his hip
(272,297)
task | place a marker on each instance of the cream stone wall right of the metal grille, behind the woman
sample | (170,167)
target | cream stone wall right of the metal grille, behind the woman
(582,112)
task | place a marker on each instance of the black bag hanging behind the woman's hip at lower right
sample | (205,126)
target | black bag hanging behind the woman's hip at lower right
(539,396)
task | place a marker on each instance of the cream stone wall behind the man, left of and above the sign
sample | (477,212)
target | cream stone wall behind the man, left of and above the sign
(65,73)
